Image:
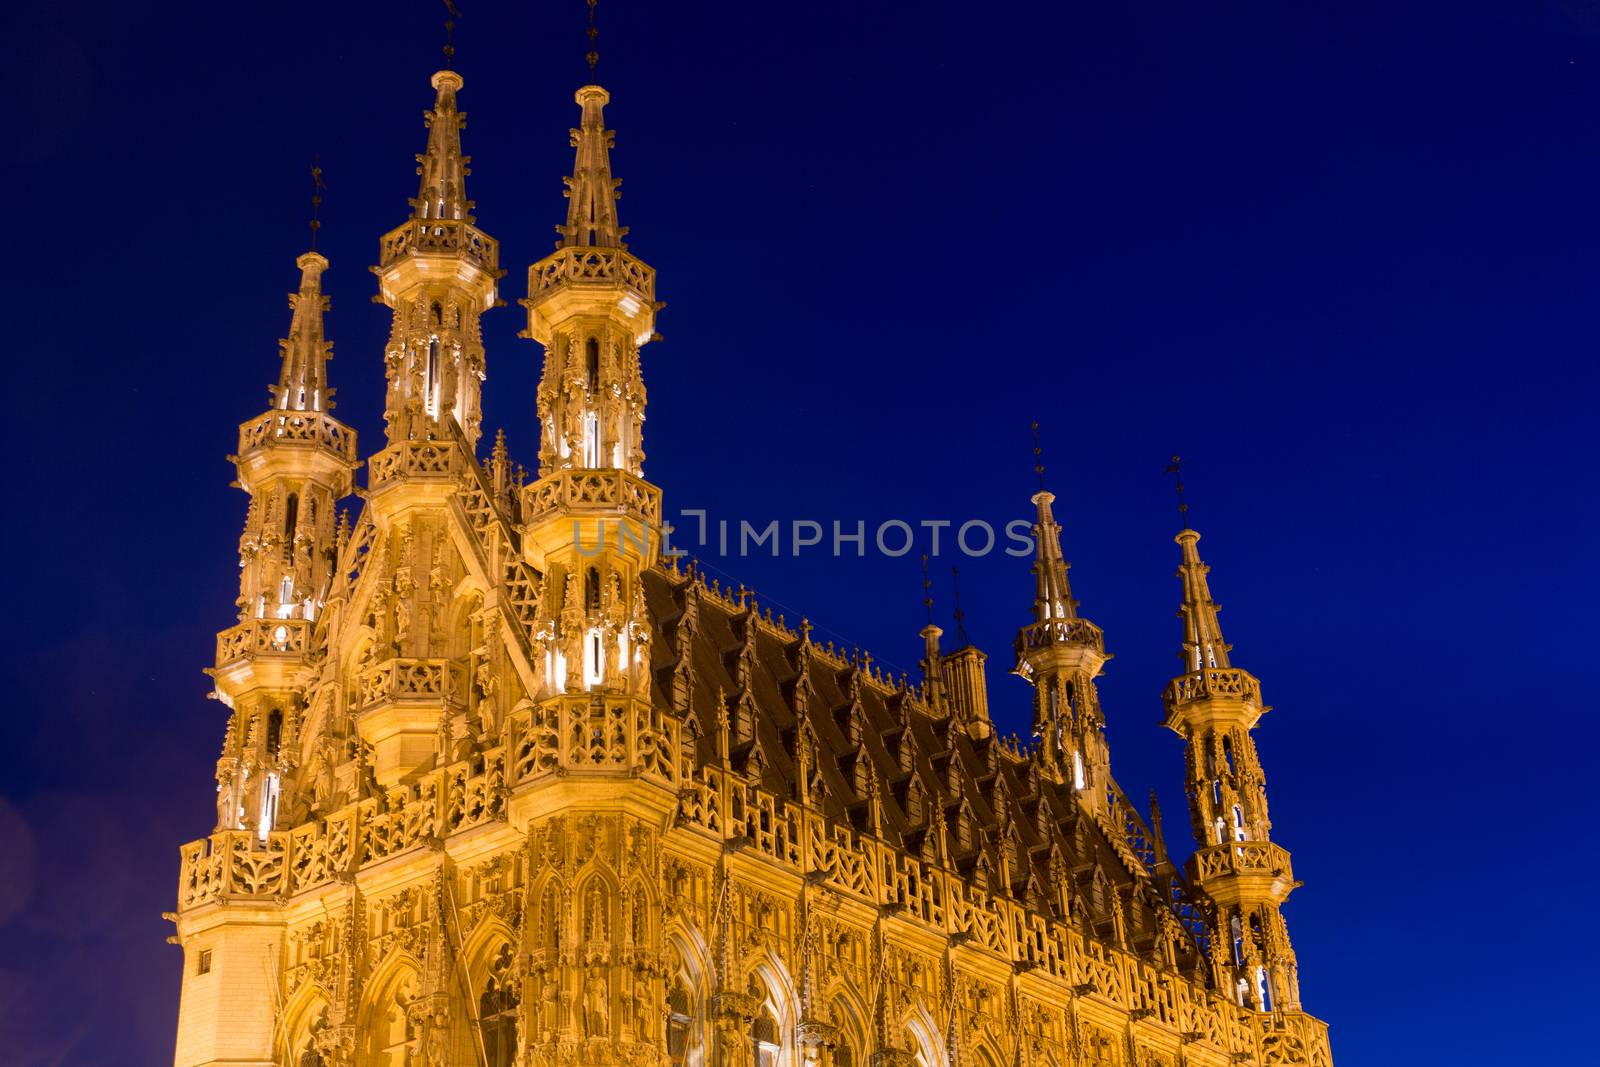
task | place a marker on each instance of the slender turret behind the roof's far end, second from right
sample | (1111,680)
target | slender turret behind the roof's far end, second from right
(1060,655)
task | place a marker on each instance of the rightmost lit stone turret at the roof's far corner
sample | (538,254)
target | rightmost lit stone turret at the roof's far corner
(1215,706)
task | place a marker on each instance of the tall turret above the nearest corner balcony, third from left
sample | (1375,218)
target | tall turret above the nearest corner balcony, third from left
(593,522)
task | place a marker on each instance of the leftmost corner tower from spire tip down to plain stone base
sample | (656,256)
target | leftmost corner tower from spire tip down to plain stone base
(295,462)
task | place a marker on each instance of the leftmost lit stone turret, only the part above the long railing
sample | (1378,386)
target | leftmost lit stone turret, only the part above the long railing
(295,463)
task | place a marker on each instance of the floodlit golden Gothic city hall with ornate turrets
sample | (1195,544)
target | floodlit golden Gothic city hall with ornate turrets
(503,785)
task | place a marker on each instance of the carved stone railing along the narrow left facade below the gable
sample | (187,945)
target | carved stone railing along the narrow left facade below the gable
(239,865)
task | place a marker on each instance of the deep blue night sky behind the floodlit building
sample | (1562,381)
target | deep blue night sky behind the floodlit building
(1342,257)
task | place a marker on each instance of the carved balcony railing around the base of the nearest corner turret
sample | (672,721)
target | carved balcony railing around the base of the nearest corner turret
(602,732)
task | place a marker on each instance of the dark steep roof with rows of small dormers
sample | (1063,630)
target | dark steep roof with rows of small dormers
(889,764)
